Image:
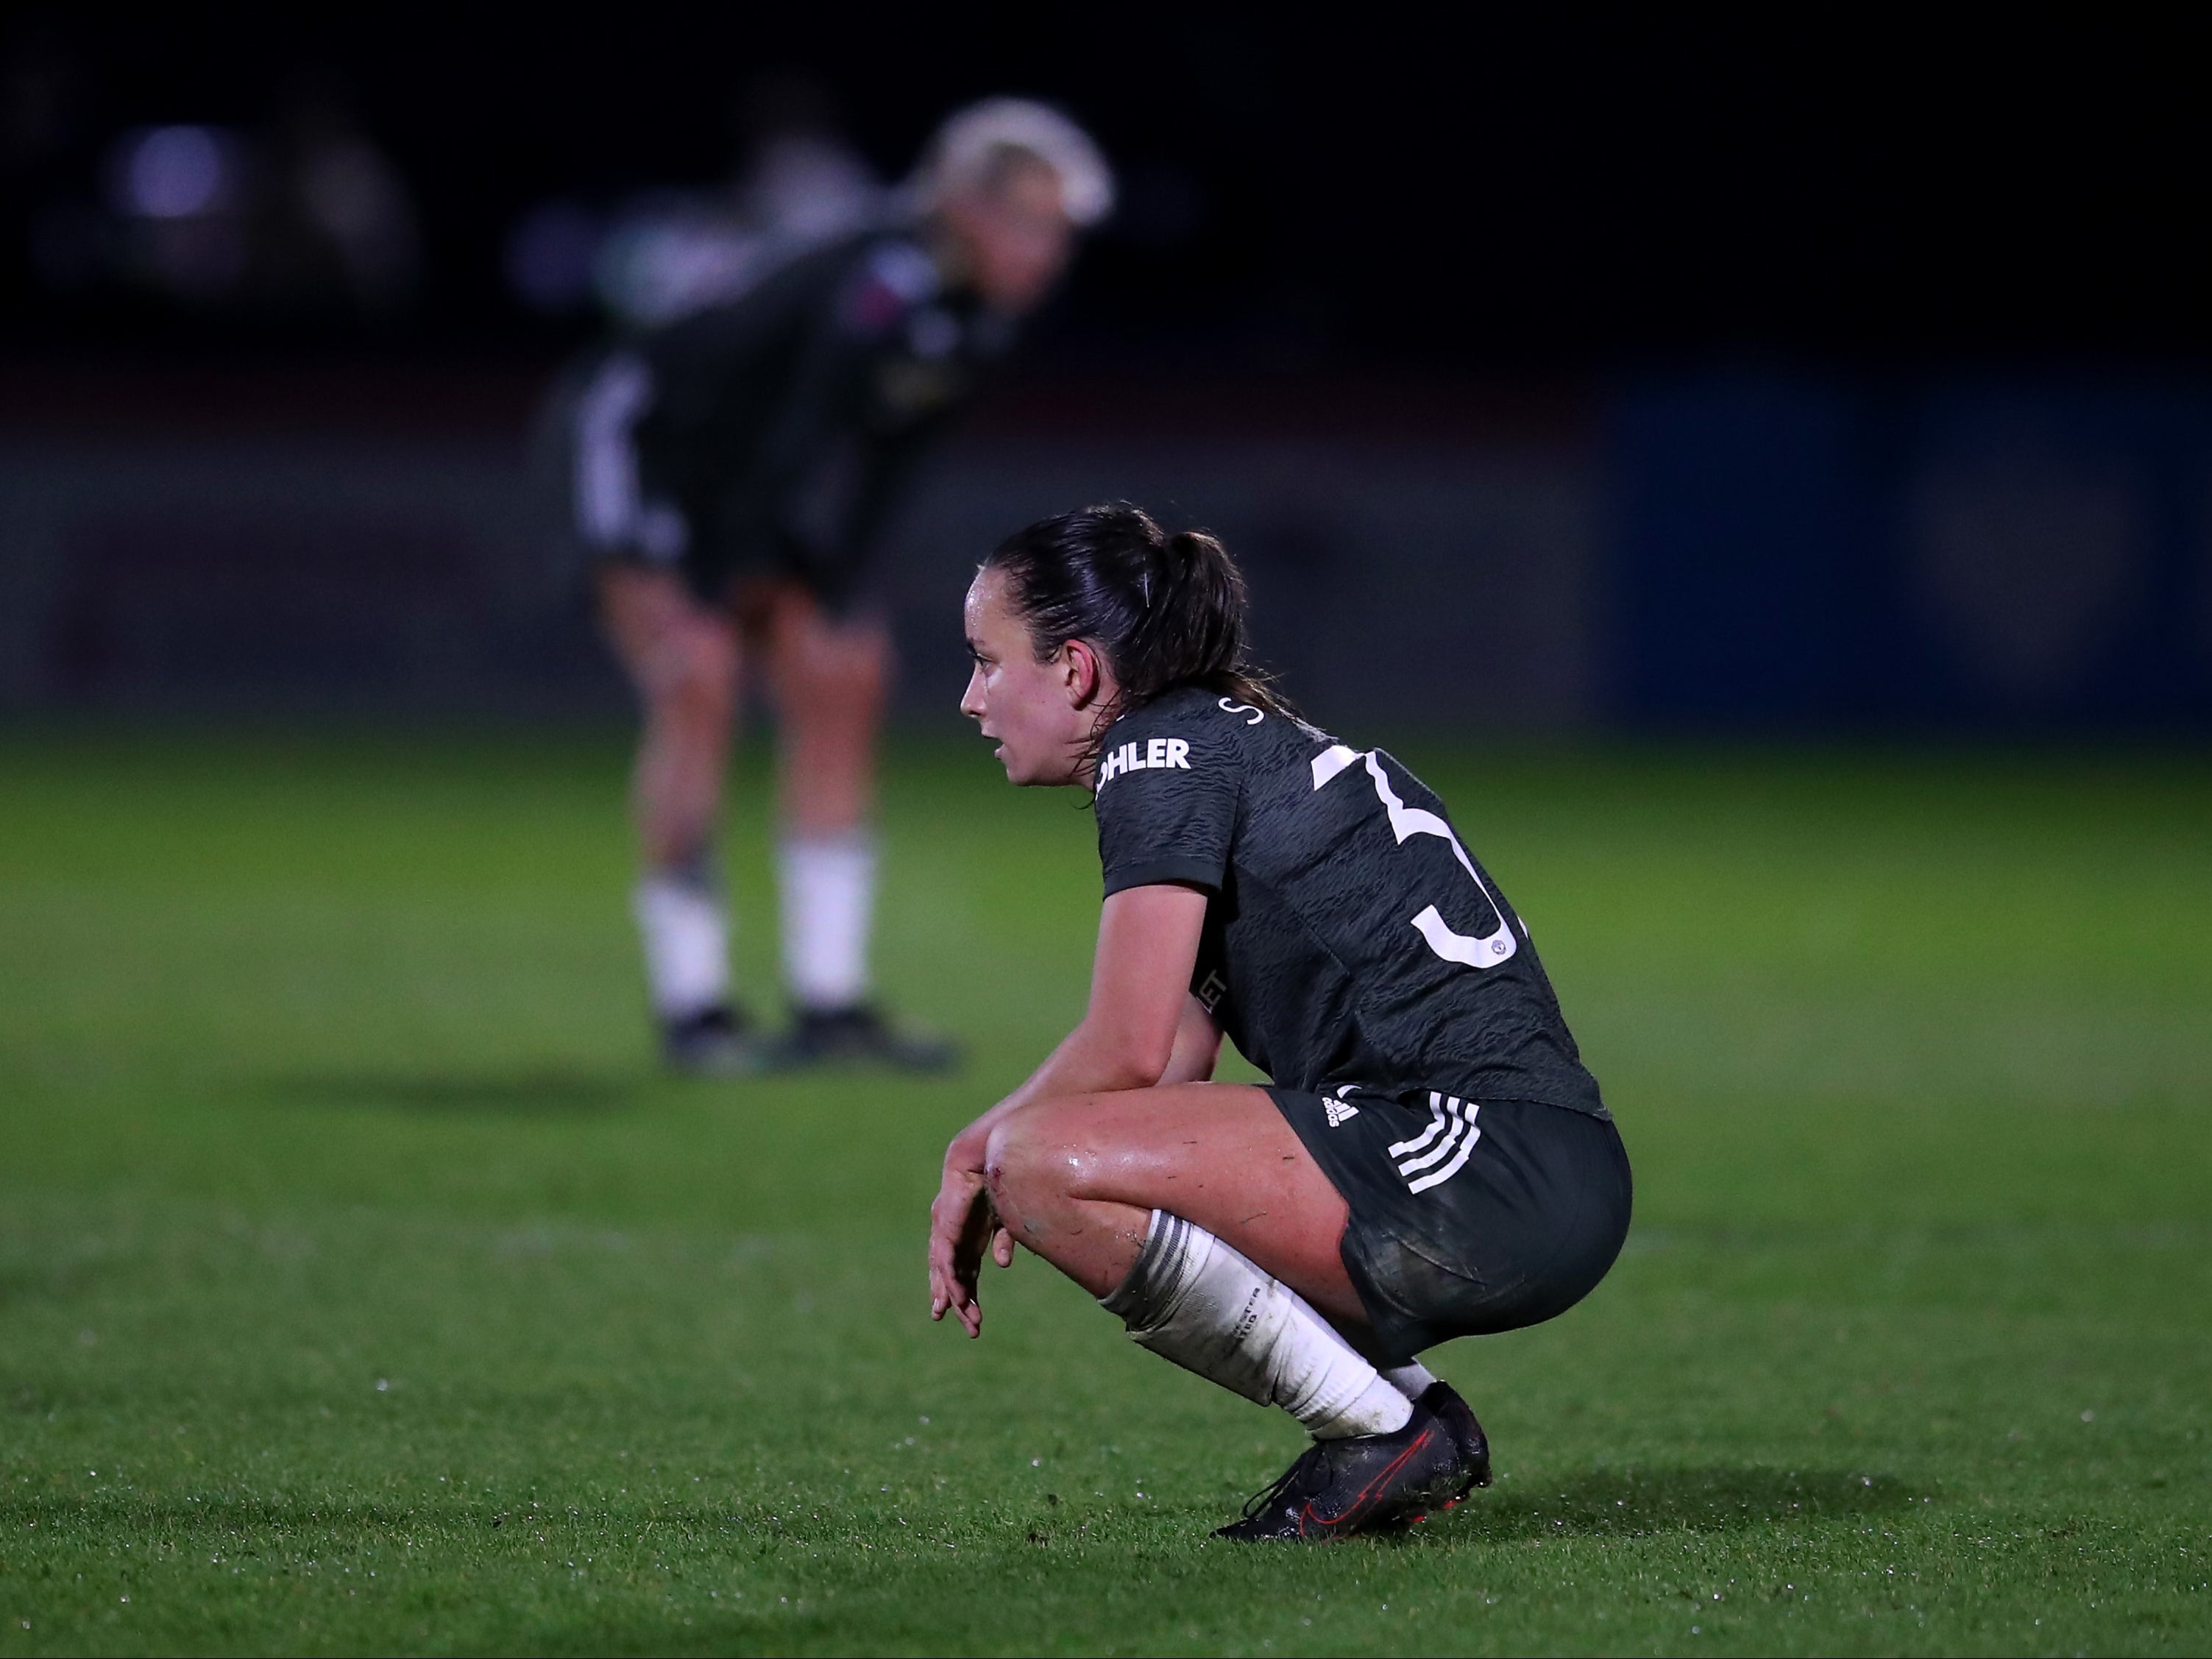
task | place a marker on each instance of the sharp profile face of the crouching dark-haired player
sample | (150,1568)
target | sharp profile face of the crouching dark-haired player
(1041,713)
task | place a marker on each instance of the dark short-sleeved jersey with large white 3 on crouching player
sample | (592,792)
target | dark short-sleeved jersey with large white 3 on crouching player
(1350,935)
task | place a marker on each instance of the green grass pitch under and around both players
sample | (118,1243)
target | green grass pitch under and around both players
(362,1288)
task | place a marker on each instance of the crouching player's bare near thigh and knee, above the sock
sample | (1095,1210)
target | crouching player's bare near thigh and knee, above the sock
(1220,1156)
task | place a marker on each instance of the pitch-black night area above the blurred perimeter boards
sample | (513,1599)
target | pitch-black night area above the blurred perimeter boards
(1488,194)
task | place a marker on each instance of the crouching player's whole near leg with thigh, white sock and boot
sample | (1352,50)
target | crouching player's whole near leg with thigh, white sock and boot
(1198,1215)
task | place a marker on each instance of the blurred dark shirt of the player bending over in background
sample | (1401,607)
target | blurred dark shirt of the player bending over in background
(784,421)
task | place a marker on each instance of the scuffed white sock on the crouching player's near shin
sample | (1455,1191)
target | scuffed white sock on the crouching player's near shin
(1204,1306)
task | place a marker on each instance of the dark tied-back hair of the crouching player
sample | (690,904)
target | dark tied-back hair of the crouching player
(1162,609)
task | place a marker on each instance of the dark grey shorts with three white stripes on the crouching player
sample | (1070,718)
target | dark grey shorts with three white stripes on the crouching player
(1468,1218)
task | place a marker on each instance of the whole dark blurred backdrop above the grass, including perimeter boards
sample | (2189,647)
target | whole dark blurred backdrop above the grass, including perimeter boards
(1797,373)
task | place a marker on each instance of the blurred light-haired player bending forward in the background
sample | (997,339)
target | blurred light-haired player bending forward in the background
(729,477)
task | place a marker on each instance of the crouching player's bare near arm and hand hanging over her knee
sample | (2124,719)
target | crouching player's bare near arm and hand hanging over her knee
(1140,1030)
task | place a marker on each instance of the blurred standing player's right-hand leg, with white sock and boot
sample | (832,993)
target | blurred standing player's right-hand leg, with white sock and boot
(828,678)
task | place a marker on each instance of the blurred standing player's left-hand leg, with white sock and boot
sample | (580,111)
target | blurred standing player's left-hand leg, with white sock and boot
(685,662)
